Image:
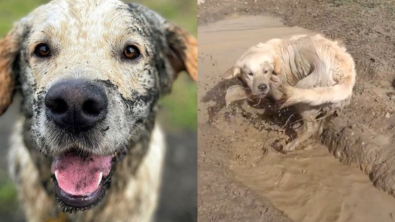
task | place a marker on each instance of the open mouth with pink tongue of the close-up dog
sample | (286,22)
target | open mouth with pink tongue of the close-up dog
(81,181)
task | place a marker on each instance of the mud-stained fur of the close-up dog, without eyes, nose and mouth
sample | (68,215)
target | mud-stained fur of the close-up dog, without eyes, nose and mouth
(133,88)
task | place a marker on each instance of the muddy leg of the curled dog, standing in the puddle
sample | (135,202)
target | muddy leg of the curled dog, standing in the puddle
(310,127)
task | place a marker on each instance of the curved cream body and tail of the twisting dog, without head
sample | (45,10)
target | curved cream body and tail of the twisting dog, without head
(329,71)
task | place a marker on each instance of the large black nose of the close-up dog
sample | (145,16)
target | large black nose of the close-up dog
(76,105)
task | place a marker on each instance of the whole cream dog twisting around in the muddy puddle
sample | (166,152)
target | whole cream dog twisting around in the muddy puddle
(313,73)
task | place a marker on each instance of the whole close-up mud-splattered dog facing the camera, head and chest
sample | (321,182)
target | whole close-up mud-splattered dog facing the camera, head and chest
(90,74)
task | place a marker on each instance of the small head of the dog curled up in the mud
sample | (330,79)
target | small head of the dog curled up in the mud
(256,68)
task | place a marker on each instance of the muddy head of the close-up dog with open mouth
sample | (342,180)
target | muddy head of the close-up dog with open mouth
(90,74)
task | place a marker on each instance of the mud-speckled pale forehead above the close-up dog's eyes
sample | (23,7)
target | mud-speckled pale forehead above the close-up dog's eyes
(75,20)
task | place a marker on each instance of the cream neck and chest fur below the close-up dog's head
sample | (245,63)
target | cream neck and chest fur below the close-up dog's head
(119,205)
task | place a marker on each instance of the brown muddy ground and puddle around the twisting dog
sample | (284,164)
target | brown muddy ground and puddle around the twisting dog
(241,176)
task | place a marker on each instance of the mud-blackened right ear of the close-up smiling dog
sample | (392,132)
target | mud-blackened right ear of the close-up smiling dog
(176,49)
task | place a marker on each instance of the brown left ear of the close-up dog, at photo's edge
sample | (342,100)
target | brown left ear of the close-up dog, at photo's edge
(9,50)
